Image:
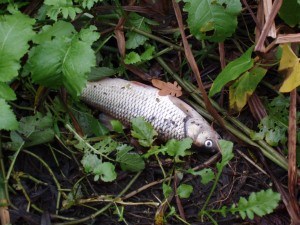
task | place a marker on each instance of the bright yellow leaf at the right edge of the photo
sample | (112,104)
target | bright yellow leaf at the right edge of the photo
(289,63)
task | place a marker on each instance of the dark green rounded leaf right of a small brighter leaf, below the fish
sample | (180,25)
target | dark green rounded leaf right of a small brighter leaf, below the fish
(129,161)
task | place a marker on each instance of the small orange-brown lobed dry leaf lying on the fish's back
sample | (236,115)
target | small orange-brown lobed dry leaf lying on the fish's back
(167,88)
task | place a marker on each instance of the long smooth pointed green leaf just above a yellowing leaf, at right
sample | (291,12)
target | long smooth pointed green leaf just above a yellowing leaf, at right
(232,71)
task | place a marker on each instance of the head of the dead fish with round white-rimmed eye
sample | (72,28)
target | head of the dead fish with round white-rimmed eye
(202,134)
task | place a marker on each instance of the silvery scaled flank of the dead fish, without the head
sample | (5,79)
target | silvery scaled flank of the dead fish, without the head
(125,100)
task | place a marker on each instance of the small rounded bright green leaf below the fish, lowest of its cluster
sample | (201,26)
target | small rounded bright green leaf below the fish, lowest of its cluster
(106,171)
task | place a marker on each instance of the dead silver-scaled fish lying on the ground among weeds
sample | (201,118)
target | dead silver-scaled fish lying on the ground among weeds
(170,116)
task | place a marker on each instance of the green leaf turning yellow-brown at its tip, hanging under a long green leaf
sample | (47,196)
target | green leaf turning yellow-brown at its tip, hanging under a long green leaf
(243,88)
